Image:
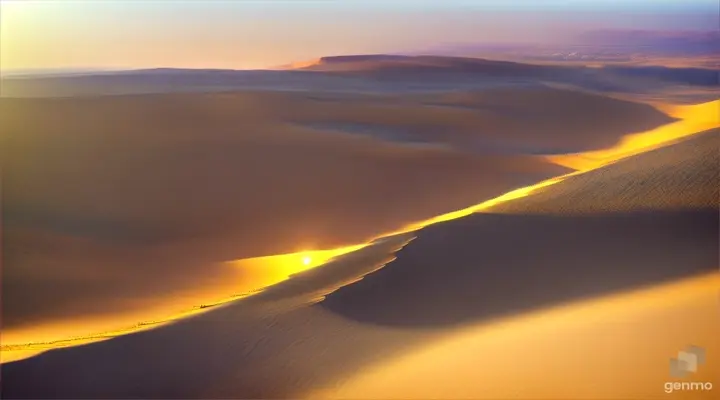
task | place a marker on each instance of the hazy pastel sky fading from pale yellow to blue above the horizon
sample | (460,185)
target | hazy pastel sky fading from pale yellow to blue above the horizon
(261,33)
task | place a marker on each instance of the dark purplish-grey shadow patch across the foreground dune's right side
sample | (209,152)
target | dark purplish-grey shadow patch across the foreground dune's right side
(491,265)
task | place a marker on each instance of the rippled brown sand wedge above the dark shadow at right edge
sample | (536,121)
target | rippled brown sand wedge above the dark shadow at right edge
(639,183)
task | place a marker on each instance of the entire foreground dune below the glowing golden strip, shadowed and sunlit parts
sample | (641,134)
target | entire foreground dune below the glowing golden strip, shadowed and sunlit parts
(281,343)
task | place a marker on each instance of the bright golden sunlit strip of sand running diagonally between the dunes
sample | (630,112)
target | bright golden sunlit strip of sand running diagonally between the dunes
(261,272)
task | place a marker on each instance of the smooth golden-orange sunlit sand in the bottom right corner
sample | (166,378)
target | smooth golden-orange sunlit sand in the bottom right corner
(615,347)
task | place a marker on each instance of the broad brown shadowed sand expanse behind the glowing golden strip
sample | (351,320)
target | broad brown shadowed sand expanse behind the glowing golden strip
(163,190)
